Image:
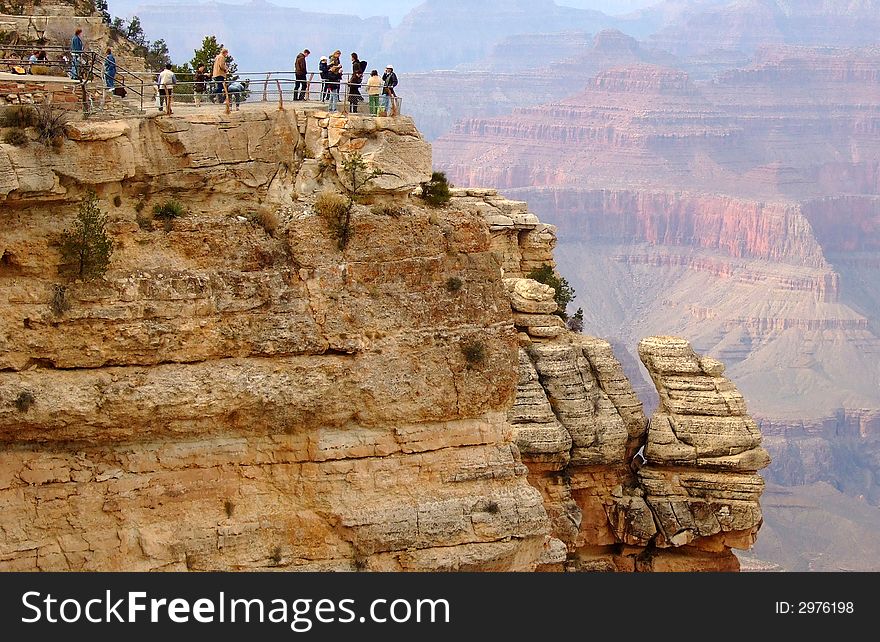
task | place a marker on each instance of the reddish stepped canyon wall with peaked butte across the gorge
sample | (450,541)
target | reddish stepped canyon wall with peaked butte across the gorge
(739,213)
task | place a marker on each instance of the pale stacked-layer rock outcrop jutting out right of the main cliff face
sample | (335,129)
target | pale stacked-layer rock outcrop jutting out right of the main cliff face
(624,495)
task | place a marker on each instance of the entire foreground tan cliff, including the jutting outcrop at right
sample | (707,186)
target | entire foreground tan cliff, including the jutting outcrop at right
(238,393)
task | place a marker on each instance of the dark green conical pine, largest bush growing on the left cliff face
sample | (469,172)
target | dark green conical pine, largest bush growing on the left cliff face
(86,245)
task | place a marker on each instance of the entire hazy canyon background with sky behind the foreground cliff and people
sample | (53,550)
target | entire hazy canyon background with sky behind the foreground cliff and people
(714,170)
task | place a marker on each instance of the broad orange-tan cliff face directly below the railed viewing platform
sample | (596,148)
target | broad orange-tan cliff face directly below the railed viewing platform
(230,399)
